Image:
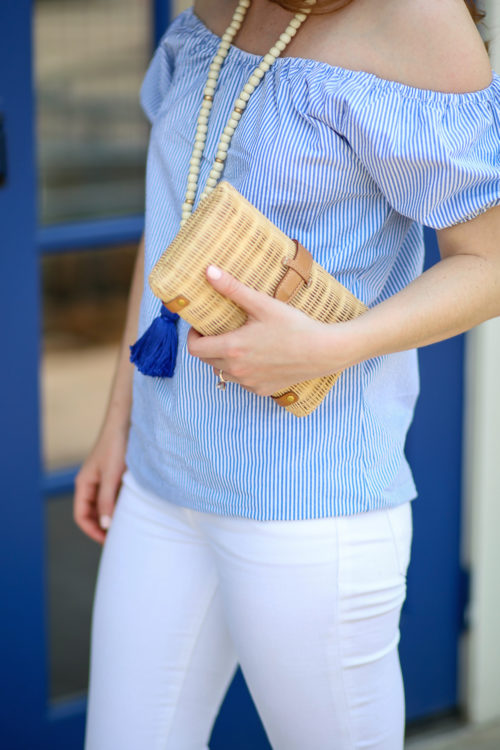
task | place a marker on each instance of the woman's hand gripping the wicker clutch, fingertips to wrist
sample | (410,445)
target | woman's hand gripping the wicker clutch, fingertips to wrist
(276,347)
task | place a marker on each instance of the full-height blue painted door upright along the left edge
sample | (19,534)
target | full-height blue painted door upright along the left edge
(22,555)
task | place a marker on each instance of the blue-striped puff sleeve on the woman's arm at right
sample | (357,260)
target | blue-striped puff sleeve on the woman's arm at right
(435,156)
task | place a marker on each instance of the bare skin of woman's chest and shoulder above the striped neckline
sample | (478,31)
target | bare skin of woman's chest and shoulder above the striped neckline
(428,44)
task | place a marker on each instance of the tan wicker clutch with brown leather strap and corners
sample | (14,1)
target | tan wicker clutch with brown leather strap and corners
(227,230)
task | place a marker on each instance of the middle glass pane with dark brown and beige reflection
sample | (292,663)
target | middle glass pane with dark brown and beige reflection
(85,297)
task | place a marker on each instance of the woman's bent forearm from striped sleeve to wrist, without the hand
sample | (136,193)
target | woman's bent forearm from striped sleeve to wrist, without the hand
(456,294)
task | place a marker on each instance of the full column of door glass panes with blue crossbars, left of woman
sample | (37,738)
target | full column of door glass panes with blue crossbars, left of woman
(89,60)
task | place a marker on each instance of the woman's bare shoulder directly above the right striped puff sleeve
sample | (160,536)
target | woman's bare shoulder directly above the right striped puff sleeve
(432,44)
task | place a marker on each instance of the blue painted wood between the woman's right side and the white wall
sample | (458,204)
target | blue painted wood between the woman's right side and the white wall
(431,616)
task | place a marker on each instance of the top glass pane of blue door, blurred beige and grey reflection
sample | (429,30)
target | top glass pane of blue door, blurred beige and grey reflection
(90,58)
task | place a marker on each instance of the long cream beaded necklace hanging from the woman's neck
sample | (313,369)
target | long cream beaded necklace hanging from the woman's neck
(201,131)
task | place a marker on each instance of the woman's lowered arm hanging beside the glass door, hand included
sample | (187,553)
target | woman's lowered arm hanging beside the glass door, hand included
(98,481)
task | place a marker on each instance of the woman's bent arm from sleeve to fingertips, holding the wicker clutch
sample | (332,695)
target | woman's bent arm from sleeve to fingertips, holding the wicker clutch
(279,345)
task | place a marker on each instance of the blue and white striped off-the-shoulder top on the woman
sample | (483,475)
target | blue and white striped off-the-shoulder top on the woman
(352,166)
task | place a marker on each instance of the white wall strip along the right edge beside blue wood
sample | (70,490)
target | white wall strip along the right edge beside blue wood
(480,649)
